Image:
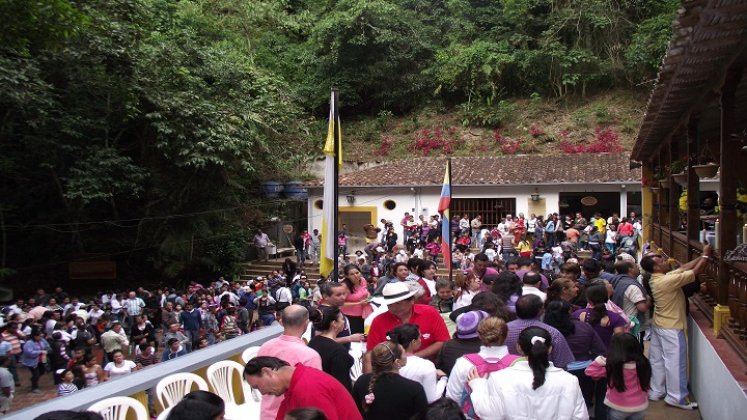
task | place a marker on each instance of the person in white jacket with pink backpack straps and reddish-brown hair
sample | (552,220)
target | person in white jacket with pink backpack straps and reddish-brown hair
(493,356)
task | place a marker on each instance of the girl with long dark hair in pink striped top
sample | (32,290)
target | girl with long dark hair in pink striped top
(628,374)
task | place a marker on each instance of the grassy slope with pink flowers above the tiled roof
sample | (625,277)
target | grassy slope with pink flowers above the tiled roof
(535,126)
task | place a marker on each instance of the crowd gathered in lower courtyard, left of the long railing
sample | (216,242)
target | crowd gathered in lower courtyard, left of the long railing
(84,342)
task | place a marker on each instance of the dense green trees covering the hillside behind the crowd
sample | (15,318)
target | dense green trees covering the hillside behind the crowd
(141,128)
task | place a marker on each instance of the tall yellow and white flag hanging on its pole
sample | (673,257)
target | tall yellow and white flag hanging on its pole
(333,156)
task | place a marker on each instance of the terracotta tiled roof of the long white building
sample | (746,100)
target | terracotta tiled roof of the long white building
(503,170)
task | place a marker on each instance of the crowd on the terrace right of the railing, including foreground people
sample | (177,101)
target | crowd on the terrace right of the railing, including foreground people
(511,337)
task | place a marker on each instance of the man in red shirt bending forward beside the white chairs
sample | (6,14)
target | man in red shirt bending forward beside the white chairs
(301,386)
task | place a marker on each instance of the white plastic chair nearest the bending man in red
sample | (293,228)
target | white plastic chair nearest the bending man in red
(220,375)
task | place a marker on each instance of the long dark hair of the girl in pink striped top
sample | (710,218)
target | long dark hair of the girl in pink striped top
(624,348)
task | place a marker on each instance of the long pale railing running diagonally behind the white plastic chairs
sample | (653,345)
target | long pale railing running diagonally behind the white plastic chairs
(136,384)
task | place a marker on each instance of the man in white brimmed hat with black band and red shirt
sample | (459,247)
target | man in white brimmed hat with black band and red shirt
(402,309)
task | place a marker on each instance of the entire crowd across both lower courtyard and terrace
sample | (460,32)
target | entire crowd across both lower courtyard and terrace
(516,334)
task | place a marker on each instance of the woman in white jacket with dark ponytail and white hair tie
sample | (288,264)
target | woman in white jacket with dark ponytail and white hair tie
(532,389)
